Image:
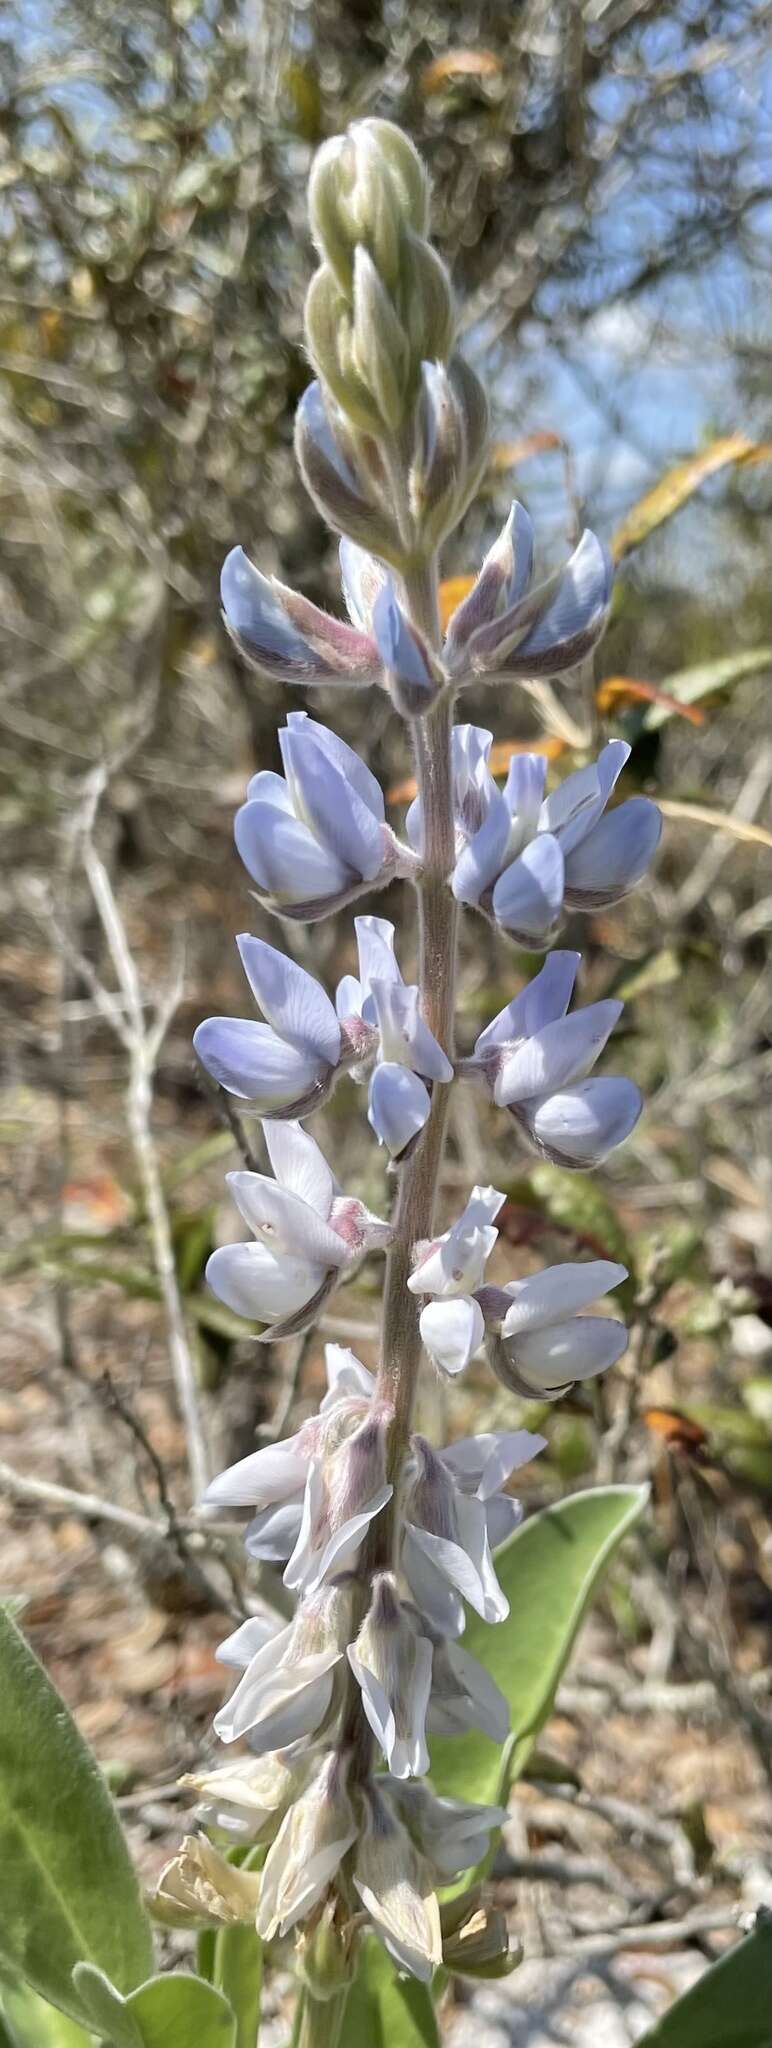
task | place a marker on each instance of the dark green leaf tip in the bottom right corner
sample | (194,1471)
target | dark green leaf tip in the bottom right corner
(730,2006)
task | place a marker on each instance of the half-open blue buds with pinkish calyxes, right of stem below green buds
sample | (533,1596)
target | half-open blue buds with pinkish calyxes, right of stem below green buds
(509,630)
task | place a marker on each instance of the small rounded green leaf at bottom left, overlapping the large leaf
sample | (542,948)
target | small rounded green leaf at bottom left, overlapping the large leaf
(169,2012)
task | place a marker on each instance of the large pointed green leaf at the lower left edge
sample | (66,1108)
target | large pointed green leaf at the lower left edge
(67,1883)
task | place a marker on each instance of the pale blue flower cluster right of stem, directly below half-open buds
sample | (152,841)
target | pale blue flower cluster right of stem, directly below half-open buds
(523,855)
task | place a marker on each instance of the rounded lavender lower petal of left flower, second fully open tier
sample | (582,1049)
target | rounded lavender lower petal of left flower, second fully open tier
(253,1064)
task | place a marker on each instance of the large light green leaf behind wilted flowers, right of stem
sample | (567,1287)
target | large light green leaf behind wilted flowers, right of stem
(550,1572)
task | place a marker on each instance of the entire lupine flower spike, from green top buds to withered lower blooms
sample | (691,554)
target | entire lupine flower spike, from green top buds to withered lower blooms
(384,1539)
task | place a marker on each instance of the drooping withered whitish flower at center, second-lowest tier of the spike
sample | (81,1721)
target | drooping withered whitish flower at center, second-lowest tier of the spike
(392,1664)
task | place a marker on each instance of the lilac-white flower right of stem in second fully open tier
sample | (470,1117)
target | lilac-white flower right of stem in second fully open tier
(535,1060)
